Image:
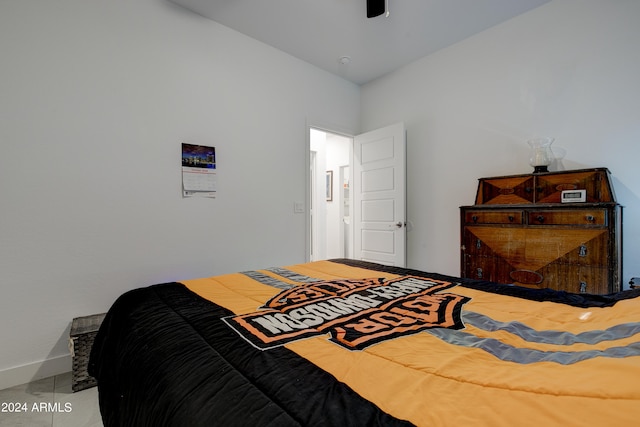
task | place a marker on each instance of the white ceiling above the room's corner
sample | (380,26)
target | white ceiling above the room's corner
(336,35)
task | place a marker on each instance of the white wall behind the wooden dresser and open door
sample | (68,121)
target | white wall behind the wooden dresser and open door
(568,69)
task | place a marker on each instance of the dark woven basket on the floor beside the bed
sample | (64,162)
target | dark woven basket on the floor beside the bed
(83,332)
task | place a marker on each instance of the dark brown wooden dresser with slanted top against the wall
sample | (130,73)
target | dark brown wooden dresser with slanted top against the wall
(520,232)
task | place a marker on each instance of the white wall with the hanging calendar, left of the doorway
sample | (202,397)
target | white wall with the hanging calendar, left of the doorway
(96,98)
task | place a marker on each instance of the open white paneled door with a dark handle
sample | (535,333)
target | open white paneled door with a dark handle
(379,211)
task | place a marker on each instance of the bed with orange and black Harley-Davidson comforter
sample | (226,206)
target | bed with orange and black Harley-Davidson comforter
(352,343)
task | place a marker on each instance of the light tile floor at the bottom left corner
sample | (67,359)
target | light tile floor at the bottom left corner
(49,402)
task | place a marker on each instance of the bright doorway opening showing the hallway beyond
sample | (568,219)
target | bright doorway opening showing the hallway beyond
(331,234)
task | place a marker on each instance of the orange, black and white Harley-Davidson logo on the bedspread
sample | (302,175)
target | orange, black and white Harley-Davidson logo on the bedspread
(356,313)
